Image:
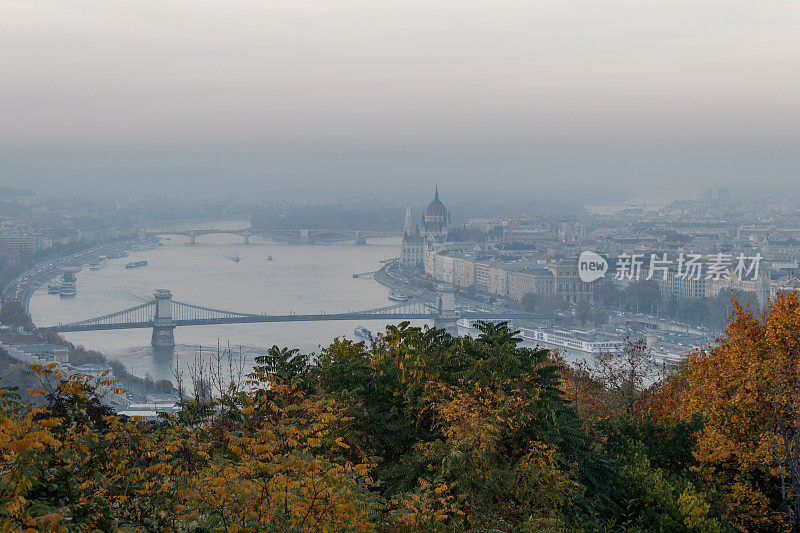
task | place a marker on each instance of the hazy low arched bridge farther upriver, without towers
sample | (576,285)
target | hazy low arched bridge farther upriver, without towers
(301,236)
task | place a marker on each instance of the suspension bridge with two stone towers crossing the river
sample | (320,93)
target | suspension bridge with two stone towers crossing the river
(163,315)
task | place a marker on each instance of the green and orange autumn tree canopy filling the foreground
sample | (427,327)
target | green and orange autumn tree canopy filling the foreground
(420,430)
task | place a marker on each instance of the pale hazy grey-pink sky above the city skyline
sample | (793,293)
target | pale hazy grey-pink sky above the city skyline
(537,95)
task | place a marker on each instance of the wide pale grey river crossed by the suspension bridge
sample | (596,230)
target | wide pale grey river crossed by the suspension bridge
(299,279)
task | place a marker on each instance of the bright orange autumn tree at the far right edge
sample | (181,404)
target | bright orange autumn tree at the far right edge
(747,389)
